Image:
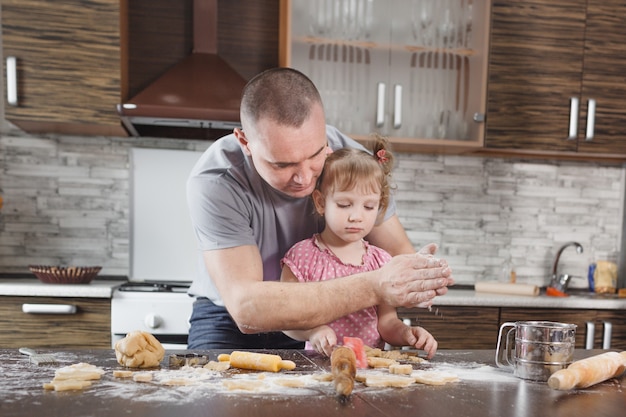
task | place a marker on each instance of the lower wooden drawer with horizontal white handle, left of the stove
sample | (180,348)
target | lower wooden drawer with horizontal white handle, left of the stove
(53,327)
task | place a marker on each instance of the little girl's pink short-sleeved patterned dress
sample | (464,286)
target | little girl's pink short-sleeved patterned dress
(310,262)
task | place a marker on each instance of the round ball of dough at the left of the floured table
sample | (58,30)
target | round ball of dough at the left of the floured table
(139,350)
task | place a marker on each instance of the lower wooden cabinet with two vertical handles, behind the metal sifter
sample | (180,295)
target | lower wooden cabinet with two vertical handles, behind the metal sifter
(590,323)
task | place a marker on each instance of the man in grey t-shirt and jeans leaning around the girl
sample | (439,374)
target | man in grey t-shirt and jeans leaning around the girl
(249,199)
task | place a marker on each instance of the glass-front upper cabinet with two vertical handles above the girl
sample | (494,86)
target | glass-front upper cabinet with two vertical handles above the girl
(415,72)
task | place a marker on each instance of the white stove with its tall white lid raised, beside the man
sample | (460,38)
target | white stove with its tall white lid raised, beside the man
(163,252)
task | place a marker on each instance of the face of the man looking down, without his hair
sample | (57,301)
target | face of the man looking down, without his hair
(287,158)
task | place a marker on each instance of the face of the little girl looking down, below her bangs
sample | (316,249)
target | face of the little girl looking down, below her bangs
(350,215)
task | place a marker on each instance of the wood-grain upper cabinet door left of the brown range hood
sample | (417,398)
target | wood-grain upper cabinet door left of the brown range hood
(62,65)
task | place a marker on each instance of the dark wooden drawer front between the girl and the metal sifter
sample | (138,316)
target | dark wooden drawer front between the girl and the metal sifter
(457,327)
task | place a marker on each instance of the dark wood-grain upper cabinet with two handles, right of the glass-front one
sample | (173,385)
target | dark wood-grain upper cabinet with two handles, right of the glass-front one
(556,78)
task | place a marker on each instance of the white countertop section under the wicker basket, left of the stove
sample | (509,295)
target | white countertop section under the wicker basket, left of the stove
(98,288)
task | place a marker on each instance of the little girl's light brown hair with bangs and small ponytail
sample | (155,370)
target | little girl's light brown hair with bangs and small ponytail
(348,168)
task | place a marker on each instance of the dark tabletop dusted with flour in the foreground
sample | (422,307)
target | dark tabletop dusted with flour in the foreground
(482,390)
